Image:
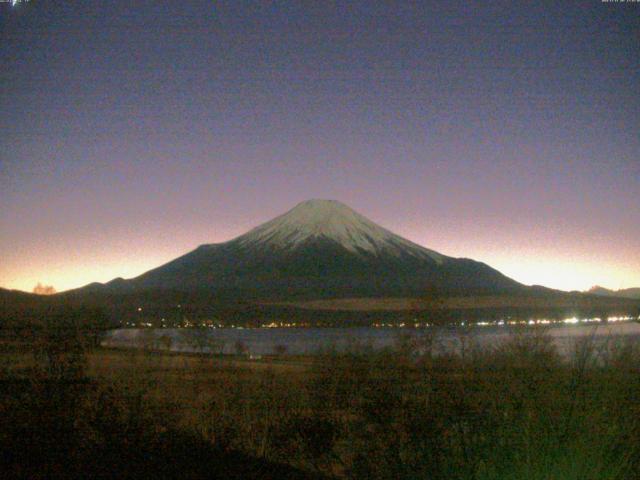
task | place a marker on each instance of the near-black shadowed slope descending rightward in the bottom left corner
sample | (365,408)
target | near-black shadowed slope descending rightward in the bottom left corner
(74,429)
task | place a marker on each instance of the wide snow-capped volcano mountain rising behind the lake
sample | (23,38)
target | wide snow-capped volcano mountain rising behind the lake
(318,249)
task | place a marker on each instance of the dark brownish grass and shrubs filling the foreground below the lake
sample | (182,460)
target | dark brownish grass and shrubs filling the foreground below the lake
(70,409)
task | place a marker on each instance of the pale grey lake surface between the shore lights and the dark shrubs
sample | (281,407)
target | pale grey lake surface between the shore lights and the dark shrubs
(298,341)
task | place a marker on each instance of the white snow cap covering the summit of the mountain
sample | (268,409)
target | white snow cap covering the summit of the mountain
(332,220)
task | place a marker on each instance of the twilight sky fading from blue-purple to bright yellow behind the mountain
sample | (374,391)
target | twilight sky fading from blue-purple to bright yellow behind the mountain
(131,132)
